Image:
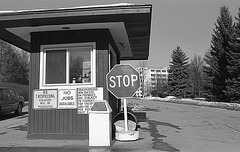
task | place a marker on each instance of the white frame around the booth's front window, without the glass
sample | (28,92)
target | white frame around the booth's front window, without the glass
(52,47)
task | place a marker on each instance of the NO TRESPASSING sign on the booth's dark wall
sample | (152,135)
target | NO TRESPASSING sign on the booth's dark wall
(44,99)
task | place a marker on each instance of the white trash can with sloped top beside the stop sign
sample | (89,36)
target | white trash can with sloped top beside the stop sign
(100,124)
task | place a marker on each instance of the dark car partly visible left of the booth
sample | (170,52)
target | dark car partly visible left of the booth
(10,101)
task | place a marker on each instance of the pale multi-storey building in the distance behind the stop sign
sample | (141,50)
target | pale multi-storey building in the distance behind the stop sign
(150,78)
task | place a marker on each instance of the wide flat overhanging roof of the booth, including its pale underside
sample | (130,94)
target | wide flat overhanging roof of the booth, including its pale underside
(129,24)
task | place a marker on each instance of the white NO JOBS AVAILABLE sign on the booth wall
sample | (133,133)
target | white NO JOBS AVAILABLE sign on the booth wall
(67,99)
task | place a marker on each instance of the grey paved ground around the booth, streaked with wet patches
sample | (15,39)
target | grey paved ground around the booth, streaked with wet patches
(170,127)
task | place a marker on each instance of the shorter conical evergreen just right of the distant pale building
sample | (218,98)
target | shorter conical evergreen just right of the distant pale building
(178,78)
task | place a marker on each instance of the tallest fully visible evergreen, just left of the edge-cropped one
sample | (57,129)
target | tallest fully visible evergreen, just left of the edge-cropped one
(216,71)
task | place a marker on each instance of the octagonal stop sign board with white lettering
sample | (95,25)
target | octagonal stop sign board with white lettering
(123,81)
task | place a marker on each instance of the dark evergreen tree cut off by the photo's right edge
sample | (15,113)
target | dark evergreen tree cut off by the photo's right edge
(233,83)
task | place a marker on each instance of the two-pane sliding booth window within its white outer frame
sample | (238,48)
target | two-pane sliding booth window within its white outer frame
(68,65)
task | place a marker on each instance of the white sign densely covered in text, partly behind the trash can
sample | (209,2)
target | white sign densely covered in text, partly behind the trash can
(86,98)
